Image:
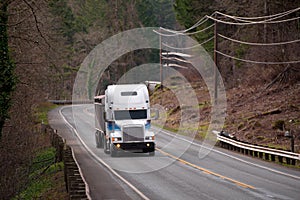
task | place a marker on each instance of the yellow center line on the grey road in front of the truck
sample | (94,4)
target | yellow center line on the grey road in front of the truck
(206,170)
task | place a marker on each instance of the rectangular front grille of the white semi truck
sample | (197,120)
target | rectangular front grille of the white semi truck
(133,133)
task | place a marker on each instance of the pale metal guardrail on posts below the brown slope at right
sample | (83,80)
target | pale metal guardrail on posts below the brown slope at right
(228,142)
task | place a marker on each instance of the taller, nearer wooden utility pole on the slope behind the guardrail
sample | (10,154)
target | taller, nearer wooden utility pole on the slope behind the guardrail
(216,62)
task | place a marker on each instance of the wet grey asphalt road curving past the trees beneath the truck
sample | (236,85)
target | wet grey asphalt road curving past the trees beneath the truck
(175,172)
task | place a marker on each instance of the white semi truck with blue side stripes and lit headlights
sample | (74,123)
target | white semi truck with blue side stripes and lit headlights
(122,120)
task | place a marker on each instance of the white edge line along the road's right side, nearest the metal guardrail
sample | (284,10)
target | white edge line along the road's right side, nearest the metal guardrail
(230,156)
